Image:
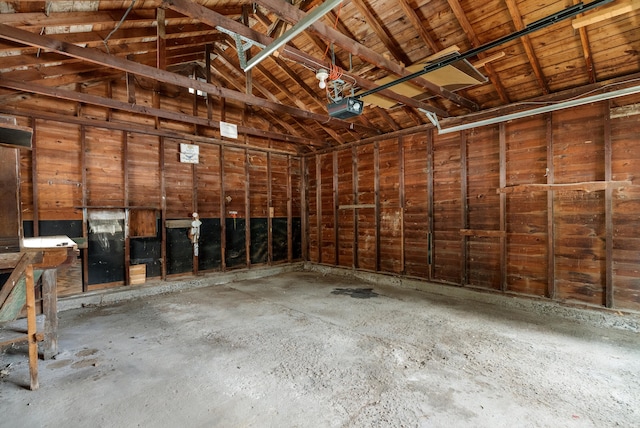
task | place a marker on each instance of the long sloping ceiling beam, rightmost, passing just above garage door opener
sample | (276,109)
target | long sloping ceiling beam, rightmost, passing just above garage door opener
(292,14)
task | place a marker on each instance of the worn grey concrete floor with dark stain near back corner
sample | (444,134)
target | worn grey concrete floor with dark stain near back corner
(302,349)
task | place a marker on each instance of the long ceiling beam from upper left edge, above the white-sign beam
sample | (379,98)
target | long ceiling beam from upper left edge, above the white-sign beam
(98,57)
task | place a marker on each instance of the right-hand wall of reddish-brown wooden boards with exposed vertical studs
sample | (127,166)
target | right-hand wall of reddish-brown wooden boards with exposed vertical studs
(543,206)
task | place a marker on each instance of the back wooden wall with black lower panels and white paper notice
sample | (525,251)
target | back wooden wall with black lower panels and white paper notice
(98,165)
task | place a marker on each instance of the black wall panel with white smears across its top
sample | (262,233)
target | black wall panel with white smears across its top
(106,256)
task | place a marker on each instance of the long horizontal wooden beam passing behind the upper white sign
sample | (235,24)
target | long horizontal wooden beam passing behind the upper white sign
(142,109)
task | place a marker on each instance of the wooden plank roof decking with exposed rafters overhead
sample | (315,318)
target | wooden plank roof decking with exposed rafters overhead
(370,39)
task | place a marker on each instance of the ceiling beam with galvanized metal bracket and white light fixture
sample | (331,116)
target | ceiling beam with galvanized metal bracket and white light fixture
(214,19)
